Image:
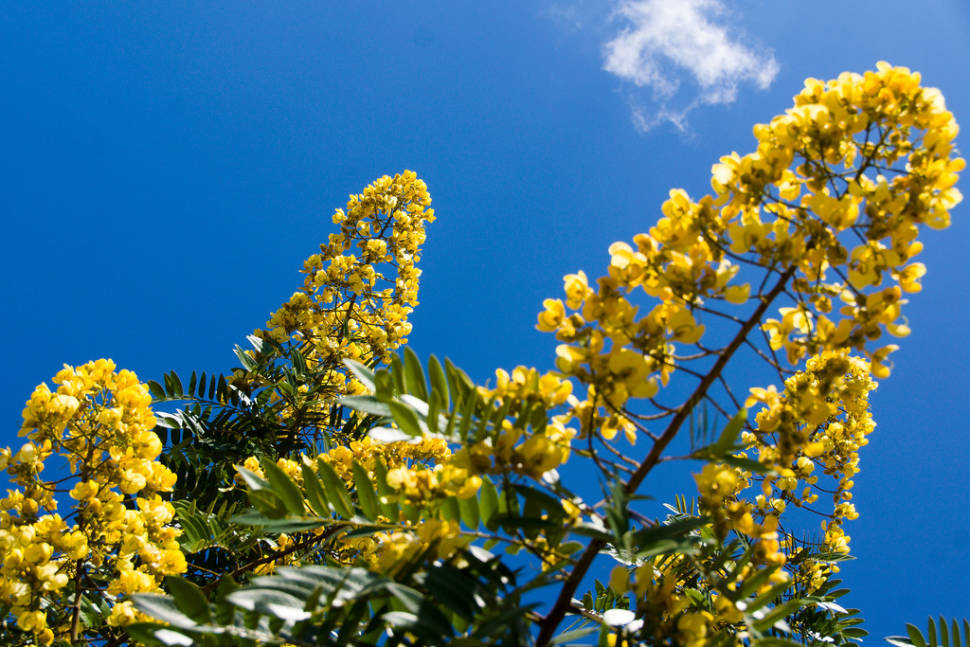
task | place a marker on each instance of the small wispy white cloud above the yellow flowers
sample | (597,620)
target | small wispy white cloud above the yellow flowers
(665,43)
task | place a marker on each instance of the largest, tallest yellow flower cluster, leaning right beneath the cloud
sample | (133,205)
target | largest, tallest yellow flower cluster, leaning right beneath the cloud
(829,204)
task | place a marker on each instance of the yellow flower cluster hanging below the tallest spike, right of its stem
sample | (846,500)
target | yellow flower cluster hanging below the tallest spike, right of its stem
(821,419)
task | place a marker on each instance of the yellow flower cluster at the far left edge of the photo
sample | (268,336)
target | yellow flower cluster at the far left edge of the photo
(120,530)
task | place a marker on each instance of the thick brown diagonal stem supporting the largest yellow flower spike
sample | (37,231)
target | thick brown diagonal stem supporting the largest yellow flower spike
(555,616)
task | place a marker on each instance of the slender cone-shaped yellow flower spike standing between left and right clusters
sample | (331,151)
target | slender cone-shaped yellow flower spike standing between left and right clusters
(360,288)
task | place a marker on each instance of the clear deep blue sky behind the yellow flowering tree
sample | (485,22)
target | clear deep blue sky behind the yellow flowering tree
(167,167)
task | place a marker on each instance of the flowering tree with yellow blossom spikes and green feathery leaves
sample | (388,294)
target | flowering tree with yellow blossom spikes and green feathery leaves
(331,491)
